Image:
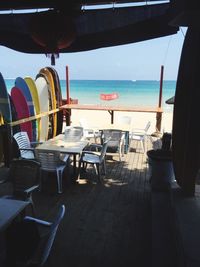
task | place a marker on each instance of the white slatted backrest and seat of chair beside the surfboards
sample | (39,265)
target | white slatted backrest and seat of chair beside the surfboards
(23,141)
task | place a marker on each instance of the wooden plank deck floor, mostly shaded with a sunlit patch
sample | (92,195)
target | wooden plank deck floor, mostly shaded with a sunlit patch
(105,224)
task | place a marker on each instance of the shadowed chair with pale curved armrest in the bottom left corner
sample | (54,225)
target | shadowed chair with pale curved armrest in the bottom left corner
(29,242)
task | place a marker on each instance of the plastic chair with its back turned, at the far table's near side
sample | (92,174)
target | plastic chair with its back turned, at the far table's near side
(116,141)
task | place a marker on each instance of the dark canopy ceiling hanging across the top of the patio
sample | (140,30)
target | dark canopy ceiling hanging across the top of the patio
(66,27)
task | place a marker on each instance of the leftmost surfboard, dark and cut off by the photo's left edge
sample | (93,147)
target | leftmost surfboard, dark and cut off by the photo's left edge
(5,129)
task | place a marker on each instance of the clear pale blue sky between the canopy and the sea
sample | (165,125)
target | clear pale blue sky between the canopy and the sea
(137,61)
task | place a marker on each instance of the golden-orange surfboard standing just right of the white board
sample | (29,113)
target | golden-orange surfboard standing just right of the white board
(49,77)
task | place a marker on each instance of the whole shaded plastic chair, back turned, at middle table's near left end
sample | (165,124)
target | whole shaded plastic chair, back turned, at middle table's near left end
(50,162)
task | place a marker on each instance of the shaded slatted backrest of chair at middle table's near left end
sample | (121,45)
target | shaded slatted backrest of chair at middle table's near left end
(48,159)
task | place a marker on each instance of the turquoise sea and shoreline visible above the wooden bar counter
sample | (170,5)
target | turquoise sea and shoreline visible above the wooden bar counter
(141,93)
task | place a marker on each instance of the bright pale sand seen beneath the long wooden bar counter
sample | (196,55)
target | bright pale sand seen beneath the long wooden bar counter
(139,119)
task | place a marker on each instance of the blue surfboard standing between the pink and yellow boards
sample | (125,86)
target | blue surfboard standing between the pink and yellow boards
(21,84)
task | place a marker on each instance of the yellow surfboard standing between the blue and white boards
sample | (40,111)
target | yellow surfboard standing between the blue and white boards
(34,93)
